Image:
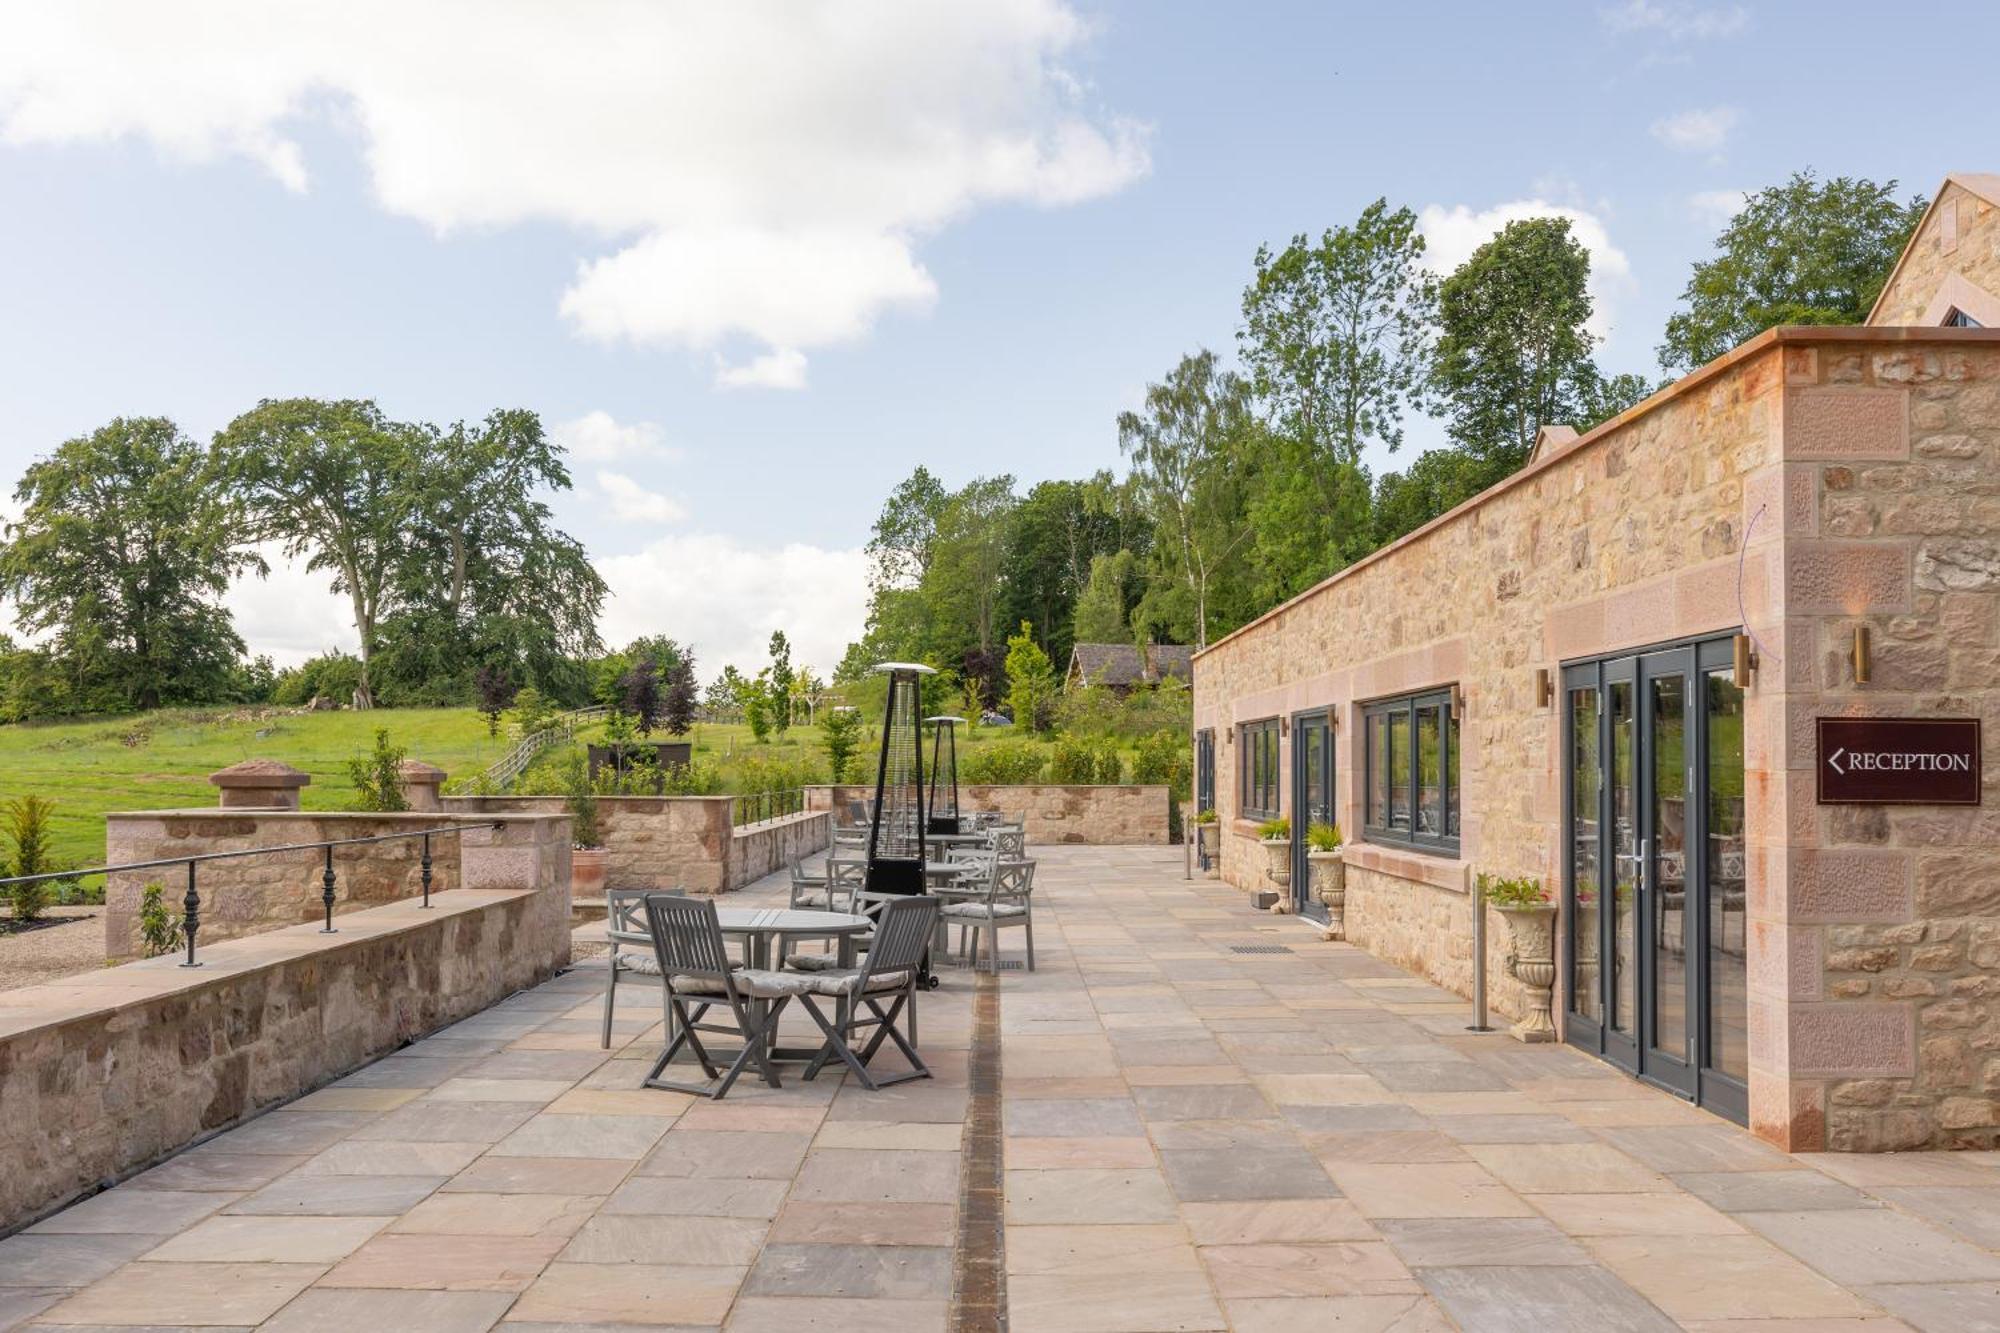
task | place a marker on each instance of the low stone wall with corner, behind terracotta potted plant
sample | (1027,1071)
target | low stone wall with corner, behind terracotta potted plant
(675,842)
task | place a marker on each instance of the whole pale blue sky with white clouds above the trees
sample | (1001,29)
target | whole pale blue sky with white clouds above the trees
(753,263)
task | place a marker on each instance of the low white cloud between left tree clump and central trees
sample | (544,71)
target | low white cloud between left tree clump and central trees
(729,599)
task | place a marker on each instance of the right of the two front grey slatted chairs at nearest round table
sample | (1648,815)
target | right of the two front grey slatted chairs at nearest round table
(891,976)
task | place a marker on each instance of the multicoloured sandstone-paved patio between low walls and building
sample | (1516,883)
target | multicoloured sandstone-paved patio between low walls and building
(1211,1120)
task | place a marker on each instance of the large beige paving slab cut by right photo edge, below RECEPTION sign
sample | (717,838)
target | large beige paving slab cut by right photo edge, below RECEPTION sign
(1875,1246)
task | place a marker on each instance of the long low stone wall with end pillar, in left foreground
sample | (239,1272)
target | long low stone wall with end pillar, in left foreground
(105,1074)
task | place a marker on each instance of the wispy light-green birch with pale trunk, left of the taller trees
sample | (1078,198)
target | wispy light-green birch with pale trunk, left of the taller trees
(1183,447)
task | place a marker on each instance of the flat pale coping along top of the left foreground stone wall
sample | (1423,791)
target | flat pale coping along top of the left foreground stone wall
(145,982)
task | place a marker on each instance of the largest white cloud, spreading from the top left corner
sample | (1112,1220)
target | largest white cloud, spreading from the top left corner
(759,175)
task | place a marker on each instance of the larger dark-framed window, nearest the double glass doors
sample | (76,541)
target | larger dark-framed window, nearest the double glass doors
(1411,750)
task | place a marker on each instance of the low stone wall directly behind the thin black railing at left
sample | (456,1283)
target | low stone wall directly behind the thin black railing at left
(263,894)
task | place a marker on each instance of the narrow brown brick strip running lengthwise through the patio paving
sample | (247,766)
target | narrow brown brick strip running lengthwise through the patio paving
(979,1264)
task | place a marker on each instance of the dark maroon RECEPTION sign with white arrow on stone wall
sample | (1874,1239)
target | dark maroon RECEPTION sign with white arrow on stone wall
(1899,762)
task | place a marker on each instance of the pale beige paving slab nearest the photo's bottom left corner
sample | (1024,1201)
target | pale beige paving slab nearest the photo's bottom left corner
(187,1294)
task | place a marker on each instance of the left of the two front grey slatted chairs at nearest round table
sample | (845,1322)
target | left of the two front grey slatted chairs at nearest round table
(697,972)
